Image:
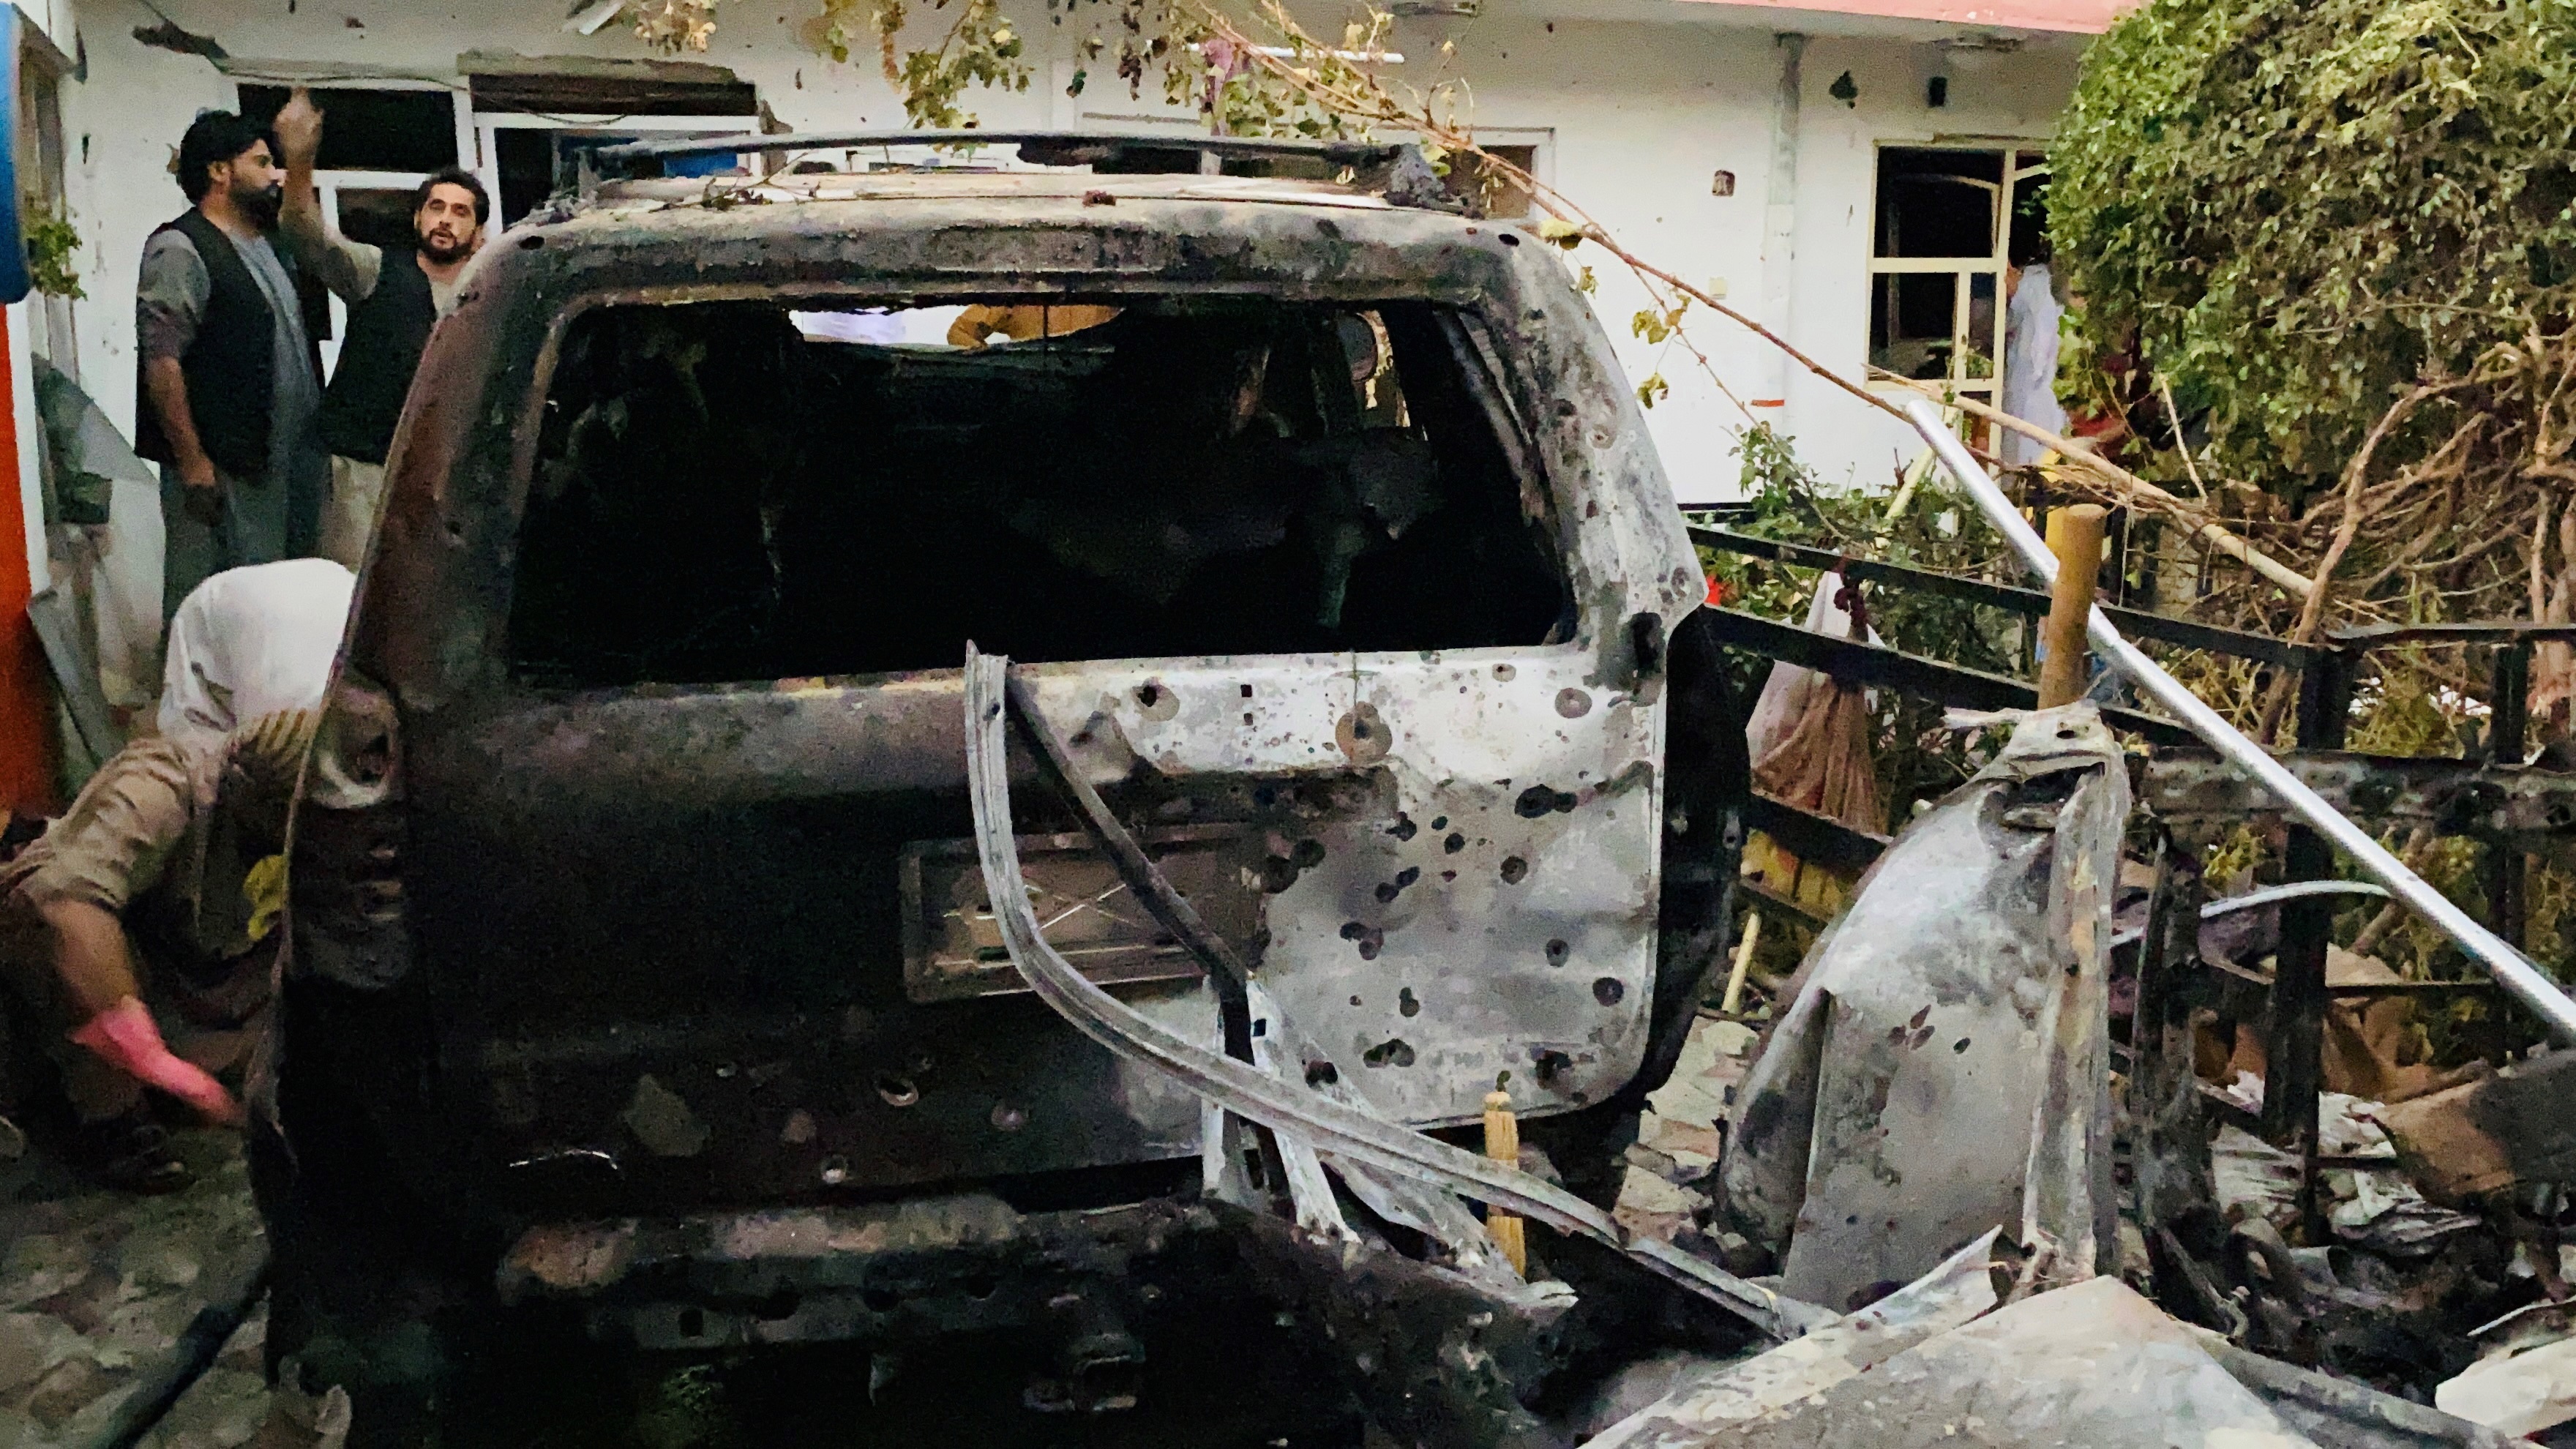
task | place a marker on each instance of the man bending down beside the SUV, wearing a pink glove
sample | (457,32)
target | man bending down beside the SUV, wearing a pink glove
(151,893)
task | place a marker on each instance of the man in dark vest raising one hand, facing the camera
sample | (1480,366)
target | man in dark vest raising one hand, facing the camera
(395,295)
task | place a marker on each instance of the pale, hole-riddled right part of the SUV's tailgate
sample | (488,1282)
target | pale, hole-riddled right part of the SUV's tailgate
(1495,917)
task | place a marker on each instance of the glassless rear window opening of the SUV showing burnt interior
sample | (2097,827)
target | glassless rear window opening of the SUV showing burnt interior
(733,491)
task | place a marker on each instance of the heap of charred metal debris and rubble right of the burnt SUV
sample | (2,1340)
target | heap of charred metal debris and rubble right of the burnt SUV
(2400,1280)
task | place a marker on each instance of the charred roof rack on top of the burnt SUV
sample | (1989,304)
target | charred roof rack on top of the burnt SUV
(1395,169)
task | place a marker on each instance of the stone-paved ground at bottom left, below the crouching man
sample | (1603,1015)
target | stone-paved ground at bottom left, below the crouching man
(97,1288)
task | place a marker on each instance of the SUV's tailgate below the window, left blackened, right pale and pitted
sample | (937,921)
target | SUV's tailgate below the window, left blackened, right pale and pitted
(1470,891)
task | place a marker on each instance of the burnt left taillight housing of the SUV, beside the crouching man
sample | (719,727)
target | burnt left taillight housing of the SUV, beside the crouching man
(346,880)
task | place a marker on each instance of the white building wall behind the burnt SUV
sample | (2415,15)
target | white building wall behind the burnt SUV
(1637,117)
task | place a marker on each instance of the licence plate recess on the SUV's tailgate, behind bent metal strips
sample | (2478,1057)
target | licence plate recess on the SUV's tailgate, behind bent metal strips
(954,950)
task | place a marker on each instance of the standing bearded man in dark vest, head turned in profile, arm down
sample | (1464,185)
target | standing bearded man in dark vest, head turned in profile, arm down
(231,383)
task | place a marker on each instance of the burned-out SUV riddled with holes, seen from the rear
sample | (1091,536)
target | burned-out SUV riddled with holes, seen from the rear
(640,955)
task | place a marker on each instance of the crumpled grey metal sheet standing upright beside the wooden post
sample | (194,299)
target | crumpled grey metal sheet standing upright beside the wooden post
(1944,1064)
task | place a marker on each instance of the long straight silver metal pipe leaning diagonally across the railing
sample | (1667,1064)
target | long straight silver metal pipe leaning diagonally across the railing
(2515,973)
